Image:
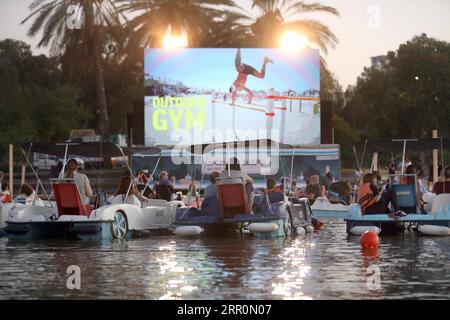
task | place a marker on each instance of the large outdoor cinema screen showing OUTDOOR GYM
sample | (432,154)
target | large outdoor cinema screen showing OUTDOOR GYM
(220,95)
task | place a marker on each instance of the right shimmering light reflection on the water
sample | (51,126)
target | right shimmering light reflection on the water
(289,284)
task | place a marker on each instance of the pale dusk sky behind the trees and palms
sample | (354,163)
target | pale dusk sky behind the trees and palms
(361,34)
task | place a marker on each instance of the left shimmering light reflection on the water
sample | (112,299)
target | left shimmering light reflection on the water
(174,282)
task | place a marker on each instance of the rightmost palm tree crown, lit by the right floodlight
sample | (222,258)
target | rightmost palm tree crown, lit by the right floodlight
(276,16)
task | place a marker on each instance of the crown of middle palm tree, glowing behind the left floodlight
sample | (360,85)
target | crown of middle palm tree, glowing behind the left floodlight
(153,18)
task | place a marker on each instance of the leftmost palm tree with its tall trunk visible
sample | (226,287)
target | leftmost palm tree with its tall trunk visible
(78,29)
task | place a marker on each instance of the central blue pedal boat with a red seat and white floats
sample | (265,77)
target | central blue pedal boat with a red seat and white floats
(274,217)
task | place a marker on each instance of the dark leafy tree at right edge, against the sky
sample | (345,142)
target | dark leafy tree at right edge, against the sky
(407,97)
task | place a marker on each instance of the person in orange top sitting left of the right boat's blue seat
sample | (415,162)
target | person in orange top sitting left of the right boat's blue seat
(369,197)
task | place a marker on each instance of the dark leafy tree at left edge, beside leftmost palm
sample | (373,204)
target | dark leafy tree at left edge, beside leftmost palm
(35,104)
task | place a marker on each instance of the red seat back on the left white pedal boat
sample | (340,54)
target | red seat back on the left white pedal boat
(68,199)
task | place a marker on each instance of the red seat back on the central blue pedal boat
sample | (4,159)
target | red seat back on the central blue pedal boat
(232,199)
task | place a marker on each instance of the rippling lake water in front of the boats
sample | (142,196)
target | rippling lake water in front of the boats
(324,265)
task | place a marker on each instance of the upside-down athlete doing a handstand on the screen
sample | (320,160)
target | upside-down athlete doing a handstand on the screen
(243,71)
